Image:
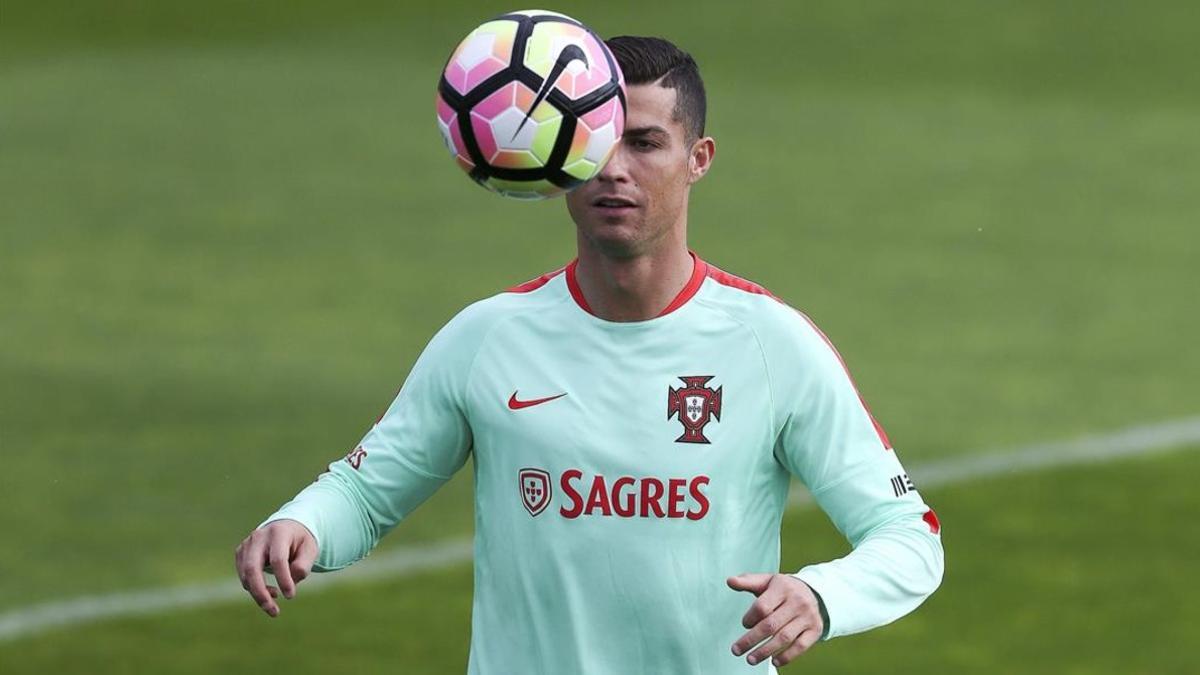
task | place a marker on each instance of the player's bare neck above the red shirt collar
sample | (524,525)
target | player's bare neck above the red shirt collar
(634,289)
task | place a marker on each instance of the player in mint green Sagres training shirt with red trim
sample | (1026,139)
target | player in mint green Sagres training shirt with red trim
(634,421)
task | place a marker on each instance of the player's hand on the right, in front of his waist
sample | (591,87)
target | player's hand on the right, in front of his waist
(787,612)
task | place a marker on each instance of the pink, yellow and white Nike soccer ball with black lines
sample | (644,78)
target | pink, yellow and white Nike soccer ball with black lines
(532,105)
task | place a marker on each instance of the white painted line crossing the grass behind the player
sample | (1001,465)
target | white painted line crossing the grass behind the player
(1090,450)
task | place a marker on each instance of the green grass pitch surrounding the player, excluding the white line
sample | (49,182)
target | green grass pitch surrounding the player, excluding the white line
(227,230)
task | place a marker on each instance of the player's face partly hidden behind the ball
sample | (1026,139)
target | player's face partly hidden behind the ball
(641,195)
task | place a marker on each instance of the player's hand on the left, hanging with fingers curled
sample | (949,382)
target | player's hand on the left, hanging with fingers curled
(285,547)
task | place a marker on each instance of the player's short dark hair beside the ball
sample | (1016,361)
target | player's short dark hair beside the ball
(645,61)
